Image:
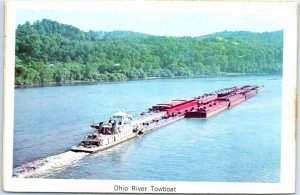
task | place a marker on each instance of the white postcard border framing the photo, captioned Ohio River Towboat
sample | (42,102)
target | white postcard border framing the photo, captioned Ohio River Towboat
(288,133)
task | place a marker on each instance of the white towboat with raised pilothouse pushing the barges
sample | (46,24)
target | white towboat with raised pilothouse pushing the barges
(118,129)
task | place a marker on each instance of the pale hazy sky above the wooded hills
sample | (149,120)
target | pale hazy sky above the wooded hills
(159,21)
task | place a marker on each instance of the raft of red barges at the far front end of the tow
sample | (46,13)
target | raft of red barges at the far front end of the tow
(209,104)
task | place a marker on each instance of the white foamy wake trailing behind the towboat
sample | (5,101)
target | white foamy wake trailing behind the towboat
(47,166)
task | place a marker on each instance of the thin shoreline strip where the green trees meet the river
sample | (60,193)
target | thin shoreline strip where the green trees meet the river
(71,82)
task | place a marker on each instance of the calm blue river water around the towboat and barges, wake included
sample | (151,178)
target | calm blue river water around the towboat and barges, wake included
(241,144)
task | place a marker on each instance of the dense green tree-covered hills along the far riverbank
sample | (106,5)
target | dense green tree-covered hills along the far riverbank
(47,51)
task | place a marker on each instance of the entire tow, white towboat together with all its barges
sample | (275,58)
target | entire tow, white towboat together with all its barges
(121,127)
